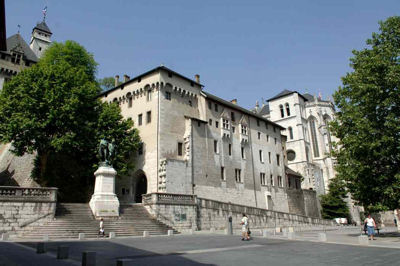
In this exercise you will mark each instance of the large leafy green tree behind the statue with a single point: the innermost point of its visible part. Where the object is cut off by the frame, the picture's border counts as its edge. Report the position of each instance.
(53, 109)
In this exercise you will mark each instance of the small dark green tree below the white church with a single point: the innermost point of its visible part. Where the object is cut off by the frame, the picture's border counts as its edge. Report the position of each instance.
(333, 204)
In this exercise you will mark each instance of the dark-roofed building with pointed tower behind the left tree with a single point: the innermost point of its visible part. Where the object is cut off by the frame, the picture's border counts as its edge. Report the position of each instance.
(17, 55)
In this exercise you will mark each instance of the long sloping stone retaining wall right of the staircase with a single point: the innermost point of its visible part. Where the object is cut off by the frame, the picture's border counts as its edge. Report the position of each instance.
(185, 212)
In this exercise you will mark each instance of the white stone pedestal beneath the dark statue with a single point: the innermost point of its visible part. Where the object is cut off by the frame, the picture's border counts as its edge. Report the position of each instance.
(104, 202)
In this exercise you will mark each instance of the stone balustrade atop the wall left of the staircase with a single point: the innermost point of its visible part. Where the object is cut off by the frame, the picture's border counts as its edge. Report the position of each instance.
(28, 194)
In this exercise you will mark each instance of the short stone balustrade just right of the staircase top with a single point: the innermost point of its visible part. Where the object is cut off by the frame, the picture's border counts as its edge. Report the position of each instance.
(166, 198)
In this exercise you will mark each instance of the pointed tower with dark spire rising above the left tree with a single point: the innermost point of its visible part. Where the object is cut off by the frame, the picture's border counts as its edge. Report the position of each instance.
(40, 39)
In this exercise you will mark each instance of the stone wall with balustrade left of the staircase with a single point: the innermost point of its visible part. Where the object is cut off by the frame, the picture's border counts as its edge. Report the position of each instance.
(20, 207)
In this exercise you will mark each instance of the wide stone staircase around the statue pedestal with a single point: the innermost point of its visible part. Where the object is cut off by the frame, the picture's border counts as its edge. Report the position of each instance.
(73, 218)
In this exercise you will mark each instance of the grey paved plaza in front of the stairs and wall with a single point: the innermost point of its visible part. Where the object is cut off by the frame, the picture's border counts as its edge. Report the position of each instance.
(342, 248)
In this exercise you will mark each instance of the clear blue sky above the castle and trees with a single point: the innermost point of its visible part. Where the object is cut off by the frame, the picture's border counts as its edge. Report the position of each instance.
(242, 49)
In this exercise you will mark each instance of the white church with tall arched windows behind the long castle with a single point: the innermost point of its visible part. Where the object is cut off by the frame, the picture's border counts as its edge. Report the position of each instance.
(309, 142)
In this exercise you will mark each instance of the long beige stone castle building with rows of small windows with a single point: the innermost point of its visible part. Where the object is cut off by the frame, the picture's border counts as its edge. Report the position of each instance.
(196, 143)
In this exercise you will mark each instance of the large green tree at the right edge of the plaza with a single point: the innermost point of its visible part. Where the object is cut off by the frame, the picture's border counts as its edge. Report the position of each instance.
(368, 121)
